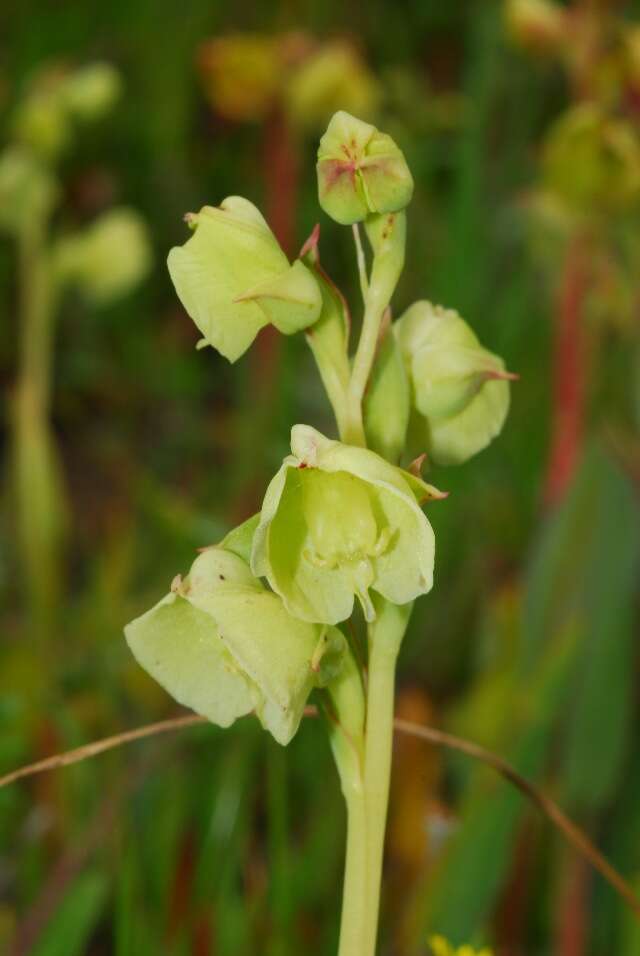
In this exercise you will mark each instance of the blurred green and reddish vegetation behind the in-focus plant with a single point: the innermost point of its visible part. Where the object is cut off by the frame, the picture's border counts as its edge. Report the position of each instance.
(206, 842)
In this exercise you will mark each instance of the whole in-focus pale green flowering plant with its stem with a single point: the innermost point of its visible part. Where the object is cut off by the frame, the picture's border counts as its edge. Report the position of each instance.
(273, 611)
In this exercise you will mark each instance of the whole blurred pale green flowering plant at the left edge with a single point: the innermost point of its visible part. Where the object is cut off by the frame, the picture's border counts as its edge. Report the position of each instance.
(100, 262)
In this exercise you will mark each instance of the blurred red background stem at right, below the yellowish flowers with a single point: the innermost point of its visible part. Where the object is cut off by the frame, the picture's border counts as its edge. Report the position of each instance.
(569, 375)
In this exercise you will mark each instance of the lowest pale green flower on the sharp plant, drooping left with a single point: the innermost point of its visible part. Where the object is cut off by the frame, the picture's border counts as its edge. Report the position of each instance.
(224, 645)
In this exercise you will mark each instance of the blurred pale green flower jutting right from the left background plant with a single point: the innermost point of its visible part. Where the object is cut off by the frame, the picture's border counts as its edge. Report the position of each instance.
(108, 259)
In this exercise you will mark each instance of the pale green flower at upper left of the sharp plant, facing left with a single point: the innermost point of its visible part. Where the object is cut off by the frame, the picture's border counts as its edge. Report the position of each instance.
(233, 278)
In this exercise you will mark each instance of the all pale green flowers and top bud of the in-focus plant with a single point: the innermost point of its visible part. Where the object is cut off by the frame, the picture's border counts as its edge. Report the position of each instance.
(340, 523)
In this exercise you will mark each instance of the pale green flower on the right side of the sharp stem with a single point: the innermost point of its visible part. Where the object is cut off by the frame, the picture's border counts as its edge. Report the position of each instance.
(460, 391)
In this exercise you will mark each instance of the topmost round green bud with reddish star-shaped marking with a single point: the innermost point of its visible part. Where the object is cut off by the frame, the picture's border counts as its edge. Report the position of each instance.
(360, 171)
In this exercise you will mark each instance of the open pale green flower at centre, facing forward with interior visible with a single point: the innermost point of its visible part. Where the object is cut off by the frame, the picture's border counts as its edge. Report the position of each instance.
(337, 522)
